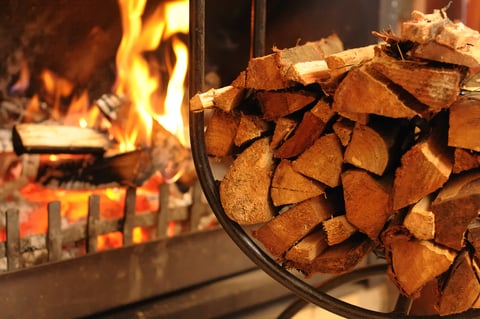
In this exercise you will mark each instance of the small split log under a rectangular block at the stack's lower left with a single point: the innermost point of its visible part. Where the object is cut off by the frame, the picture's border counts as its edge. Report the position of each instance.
(307, 249)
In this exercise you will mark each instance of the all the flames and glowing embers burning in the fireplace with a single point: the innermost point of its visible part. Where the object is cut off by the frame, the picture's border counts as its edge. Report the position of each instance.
(141, 82)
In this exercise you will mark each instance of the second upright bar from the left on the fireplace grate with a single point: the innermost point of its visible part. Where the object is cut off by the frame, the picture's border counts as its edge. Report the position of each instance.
(54, 233)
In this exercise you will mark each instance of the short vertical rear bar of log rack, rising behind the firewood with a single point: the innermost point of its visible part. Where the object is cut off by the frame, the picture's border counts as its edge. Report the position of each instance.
(259, 27)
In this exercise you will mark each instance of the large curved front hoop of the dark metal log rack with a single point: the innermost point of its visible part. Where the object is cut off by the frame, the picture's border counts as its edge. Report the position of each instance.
(196, 124)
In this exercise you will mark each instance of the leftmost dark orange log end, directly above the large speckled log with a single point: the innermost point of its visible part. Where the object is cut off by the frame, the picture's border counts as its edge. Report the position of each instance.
(220, 133)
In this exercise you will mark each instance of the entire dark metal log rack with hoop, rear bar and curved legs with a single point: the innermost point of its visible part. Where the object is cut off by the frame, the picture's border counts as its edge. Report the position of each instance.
(305, 291)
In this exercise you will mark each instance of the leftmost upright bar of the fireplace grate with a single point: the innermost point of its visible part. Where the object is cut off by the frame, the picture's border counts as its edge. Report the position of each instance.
(13, 239)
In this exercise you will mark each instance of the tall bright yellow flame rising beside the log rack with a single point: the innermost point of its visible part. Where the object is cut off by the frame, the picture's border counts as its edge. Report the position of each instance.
(138, 81)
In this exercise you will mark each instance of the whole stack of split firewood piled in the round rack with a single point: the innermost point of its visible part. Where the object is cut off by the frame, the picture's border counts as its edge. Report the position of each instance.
(338, 153)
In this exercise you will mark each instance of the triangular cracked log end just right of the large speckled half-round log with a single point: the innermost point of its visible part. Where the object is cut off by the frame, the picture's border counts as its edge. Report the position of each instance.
(289, 186)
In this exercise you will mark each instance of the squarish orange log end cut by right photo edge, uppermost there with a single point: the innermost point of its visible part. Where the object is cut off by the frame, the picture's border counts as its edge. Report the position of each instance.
(463, 129)
